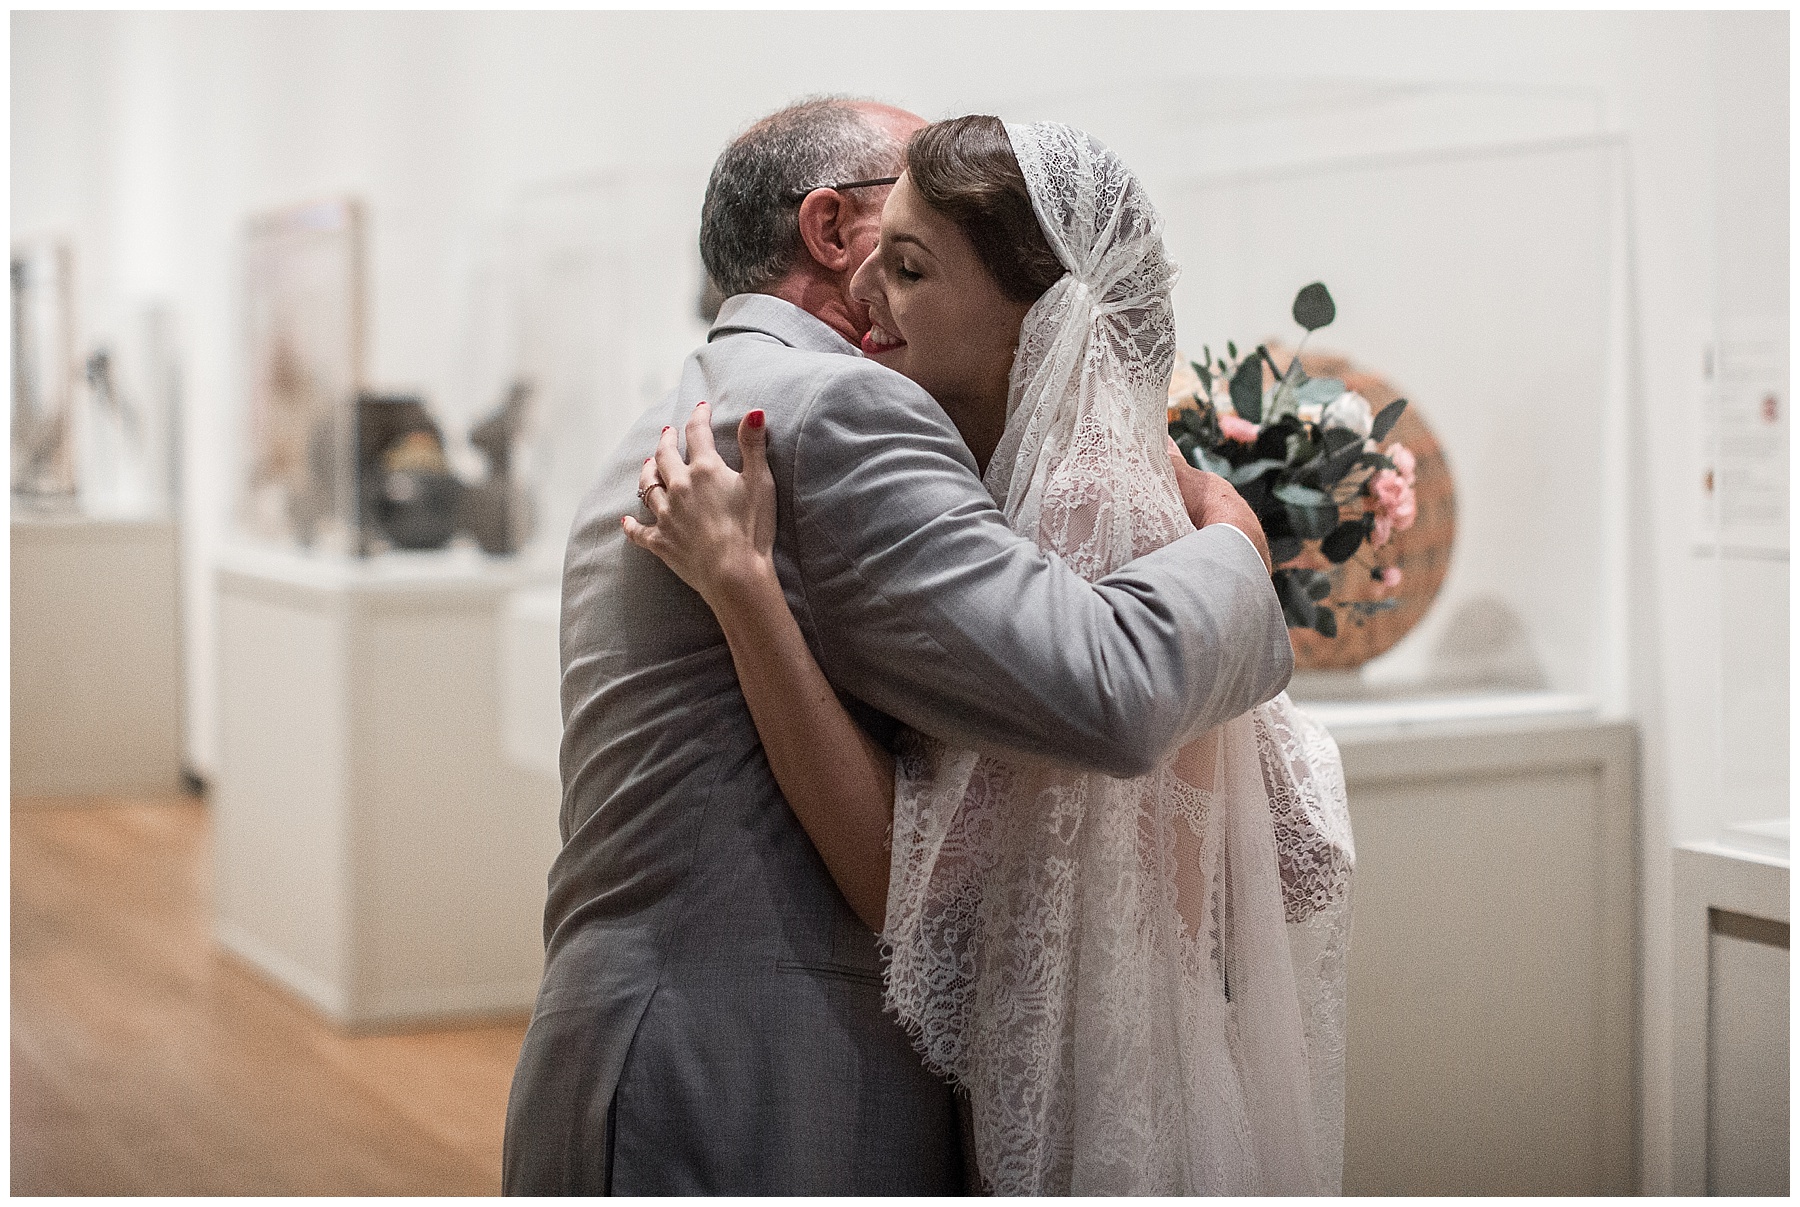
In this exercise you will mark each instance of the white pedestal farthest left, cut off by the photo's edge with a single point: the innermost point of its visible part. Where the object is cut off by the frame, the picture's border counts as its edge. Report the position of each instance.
(96, 666)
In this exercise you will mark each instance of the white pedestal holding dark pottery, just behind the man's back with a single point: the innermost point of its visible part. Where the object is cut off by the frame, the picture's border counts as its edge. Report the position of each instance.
(375, 848)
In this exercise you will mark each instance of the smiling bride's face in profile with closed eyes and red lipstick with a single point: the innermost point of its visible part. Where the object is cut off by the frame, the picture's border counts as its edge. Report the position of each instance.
(939, 316)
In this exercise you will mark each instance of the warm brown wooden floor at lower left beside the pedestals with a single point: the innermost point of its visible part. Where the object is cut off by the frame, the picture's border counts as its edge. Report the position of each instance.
(147, 1062)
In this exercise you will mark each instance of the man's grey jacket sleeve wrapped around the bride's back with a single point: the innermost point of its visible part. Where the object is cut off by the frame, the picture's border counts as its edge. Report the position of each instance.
(930, 607)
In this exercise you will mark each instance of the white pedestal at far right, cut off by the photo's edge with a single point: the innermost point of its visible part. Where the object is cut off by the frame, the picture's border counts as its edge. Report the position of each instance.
(1731, 1014)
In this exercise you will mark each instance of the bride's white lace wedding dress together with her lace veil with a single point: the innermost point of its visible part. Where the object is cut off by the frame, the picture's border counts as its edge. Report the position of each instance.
(1138, 981)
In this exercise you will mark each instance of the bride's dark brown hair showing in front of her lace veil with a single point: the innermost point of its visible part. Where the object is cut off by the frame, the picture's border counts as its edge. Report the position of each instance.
(967, 172)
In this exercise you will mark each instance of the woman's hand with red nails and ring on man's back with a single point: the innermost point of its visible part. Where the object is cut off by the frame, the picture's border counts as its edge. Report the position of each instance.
(715, 528)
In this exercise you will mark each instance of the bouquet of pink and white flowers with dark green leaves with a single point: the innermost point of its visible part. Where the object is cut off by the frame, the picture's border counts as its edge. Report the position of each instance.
(1308, 456)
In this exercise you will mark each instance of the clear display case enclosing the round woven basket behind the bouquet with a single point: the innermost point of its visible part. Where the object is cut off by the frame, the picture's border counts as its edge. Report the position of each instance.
(1473, 242)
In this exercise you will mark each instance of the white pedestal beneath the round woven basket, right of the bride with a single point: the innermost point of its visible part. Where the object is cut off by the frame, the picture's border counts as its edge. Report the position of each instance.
(1493, 947)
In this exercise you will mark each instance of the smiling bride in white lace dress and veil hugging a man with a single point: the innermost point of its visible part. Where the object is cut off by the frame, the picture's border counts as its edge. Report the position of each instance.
(1137, 983)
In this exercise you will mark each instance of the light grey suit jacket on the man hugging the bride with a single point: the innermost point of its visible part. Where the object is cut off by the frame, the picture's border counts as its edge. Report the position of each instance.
(712, 1010)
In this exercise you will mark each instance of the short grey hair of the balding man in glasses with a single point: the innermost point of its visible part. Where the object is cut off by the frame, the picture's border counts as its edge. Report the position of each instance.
(750, 228)
